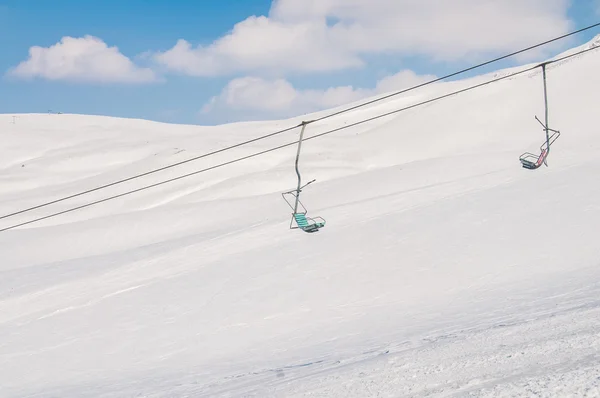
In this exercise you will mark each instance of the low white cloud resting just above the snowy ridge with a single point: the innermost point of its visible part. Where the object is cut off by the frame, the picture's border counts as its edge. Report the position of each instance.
(268, 98)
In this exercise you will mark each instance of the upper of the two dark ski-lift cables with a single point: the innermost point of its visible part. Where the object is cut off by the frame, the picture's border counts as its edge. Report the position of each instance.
(294, 127)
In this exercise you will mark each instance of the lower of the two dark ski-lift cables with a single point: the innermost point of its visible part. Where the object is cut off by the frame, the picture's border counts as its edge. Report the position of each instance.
(296, 142)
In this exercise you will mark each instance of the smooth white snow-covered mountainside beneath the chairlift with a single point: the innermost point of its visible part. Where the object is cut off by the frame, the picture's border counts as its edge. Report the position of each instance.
(445, 268)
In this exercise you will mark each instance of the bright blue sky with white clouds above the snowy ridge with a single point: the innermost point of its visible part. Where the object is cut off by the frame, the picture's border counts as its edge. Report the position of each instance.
(184, 62)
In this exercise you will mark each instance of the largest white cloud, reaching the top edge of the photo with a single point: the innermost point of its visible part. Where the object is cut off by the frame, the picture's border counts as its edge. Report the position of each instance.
(321, 35)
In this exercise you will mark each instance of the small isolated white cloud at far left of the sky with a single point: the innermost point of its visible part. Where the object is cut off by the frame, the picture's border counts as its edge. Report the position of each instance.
(85, 59)
